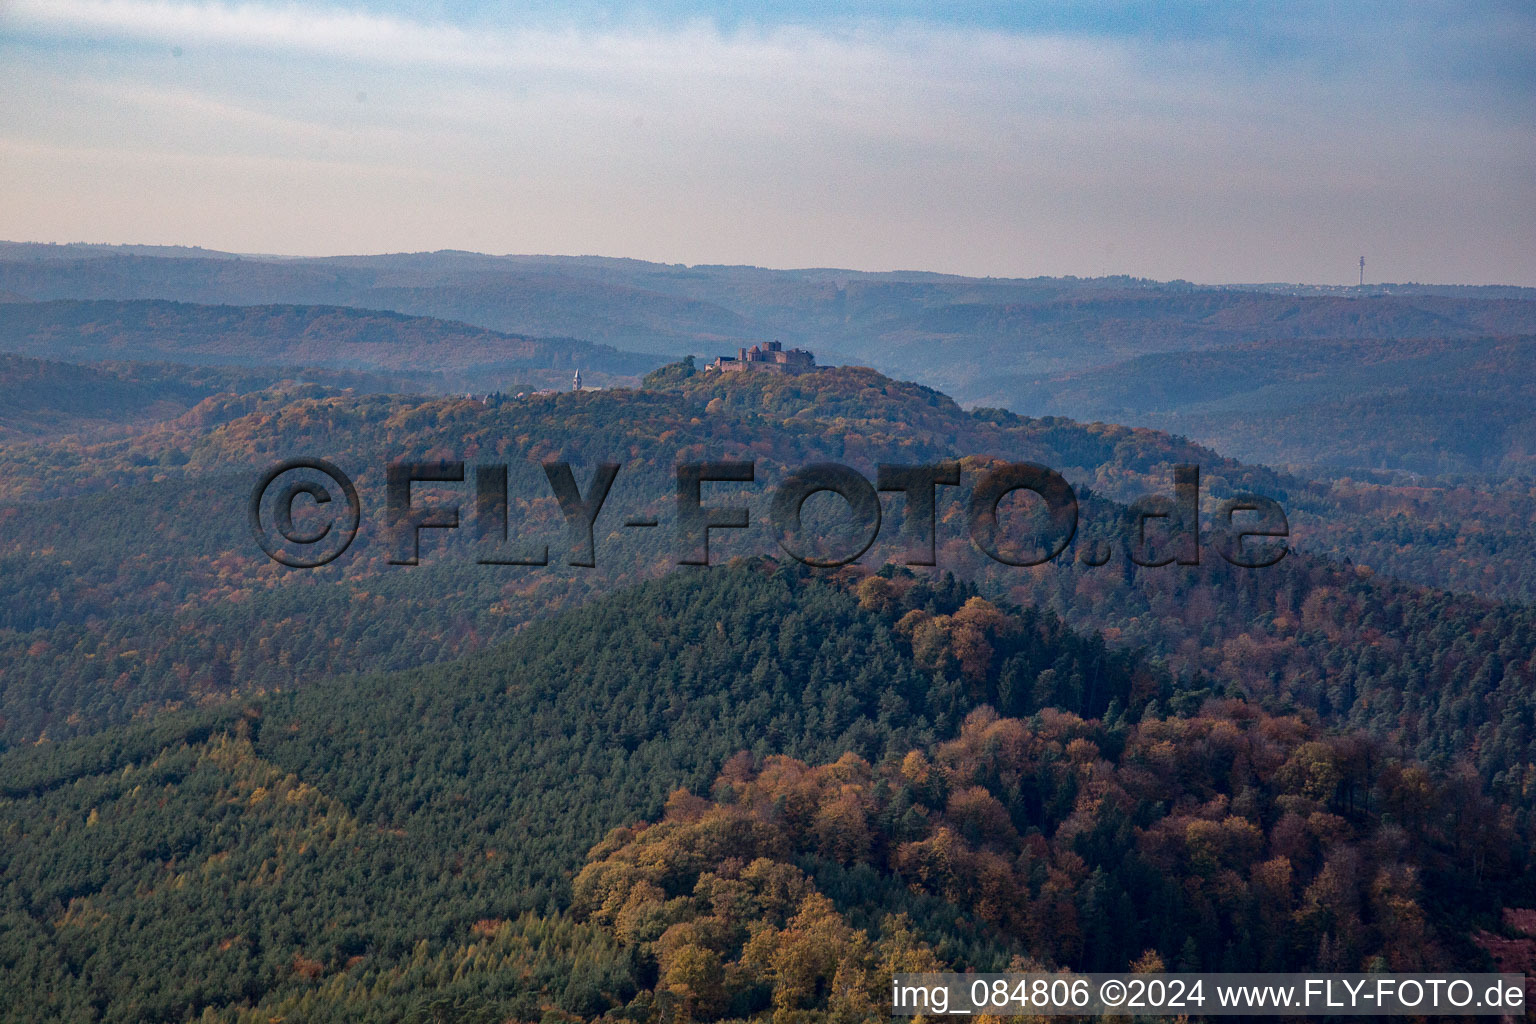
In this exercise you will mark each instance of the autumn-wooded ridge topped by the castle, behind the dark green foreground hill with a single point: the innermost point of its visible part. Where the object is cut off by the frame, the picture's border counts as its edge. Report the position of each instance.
(154, 595)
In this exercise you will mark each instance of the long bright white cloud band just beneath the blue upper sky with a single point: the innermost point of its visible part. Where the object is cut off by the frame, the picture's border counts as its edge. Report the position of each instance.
(697, 48)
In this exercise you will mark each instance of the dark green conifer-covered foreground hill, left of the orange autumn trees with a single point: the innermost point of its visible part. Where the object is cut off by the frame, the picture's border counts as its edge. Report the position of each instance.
(150, 868)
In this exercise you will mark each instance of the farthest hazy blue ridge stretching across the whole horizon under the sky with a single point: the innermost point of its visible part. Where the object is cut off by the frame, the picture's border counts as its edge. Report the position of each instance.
(947, 331)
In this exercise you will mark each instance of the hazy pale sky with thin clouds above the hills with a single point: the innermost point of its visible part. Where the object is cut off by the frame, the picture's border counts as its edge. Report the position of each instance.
(1210, 142)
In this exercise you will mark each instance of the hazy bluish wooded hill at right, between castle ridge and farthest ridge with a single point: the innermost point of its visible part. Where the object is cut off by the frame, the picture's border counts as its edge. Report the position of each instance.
(1437, 406)
